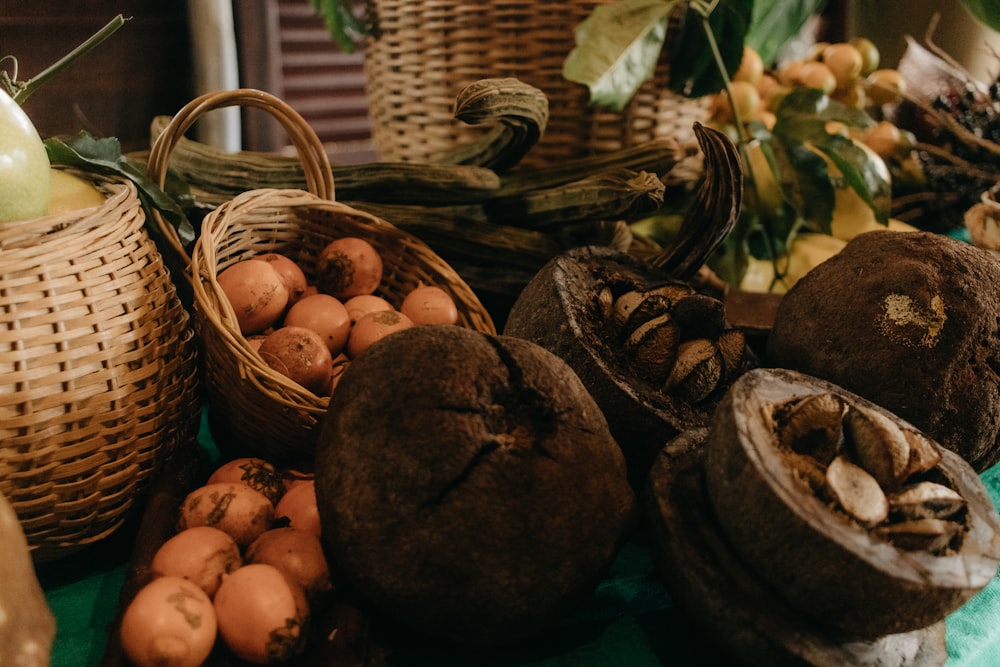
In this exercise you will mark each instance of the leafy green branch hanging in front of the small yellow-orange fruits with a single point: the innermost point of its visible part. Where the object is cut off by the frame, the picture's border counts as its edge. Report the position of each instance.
(620, 43)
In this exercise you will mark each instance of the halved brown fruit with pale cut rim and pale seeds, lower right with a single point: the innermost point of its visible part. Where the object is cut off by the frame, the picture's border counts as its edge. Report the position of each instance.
(846, 555)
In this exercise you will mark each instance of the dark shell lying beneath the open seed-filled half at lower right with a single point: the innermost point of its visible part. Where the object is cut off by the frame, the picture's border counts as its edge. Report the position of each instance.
(707, 581)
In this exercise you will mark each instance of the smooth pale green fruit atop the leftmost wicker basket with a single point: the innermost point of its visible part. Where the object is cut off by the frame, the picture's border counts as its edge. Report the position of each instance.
(24, 165)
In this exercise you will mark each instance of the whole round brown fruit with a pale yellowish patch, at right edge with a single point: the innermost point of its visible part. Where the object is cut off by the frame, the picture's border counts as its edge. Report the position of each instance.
(910, 322)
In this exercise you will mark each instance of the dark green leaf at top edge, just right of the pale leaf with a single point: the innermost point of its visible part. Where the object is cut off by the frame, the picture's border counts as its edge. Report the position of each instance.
(694, 71)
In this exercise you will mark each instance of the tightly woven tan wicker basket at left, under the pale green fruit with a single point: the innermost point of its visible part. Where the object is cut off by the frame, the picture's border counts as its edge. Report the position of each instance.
(99, 374)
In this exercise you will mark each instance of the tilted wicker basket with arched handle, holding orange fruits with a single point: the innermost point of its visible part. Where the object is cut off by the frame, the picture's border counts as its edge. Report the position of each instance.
(252, 409)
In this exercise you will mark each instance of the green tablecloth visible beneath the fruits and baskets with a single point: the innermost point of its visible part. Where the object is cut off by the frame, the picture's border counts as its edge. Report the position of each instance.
(628, 621)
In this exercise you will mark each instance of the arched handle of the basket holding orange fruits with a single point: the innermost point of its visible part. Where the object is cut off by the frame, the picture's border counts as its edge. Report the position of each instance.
(315, 161)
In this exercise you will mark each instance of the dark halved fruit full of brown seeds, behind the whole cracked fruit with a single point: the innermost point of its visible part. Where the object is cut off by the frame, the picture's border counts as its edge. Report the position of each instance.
(611, 317)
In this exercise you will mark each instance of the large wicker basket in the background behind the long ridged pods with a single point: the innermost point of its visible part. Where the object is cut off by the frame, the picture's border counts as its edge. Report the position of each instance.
(423, 52)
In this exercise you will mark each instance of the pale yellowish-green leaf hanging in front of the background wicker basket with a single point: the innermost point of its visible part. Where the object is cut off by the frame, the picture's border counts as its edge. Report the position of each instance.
(617, 47)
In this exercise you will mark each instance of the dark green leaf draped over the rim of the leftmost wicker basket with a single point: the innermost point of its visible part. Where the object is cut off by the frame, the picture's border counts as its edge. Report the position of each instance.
(104, 156)
